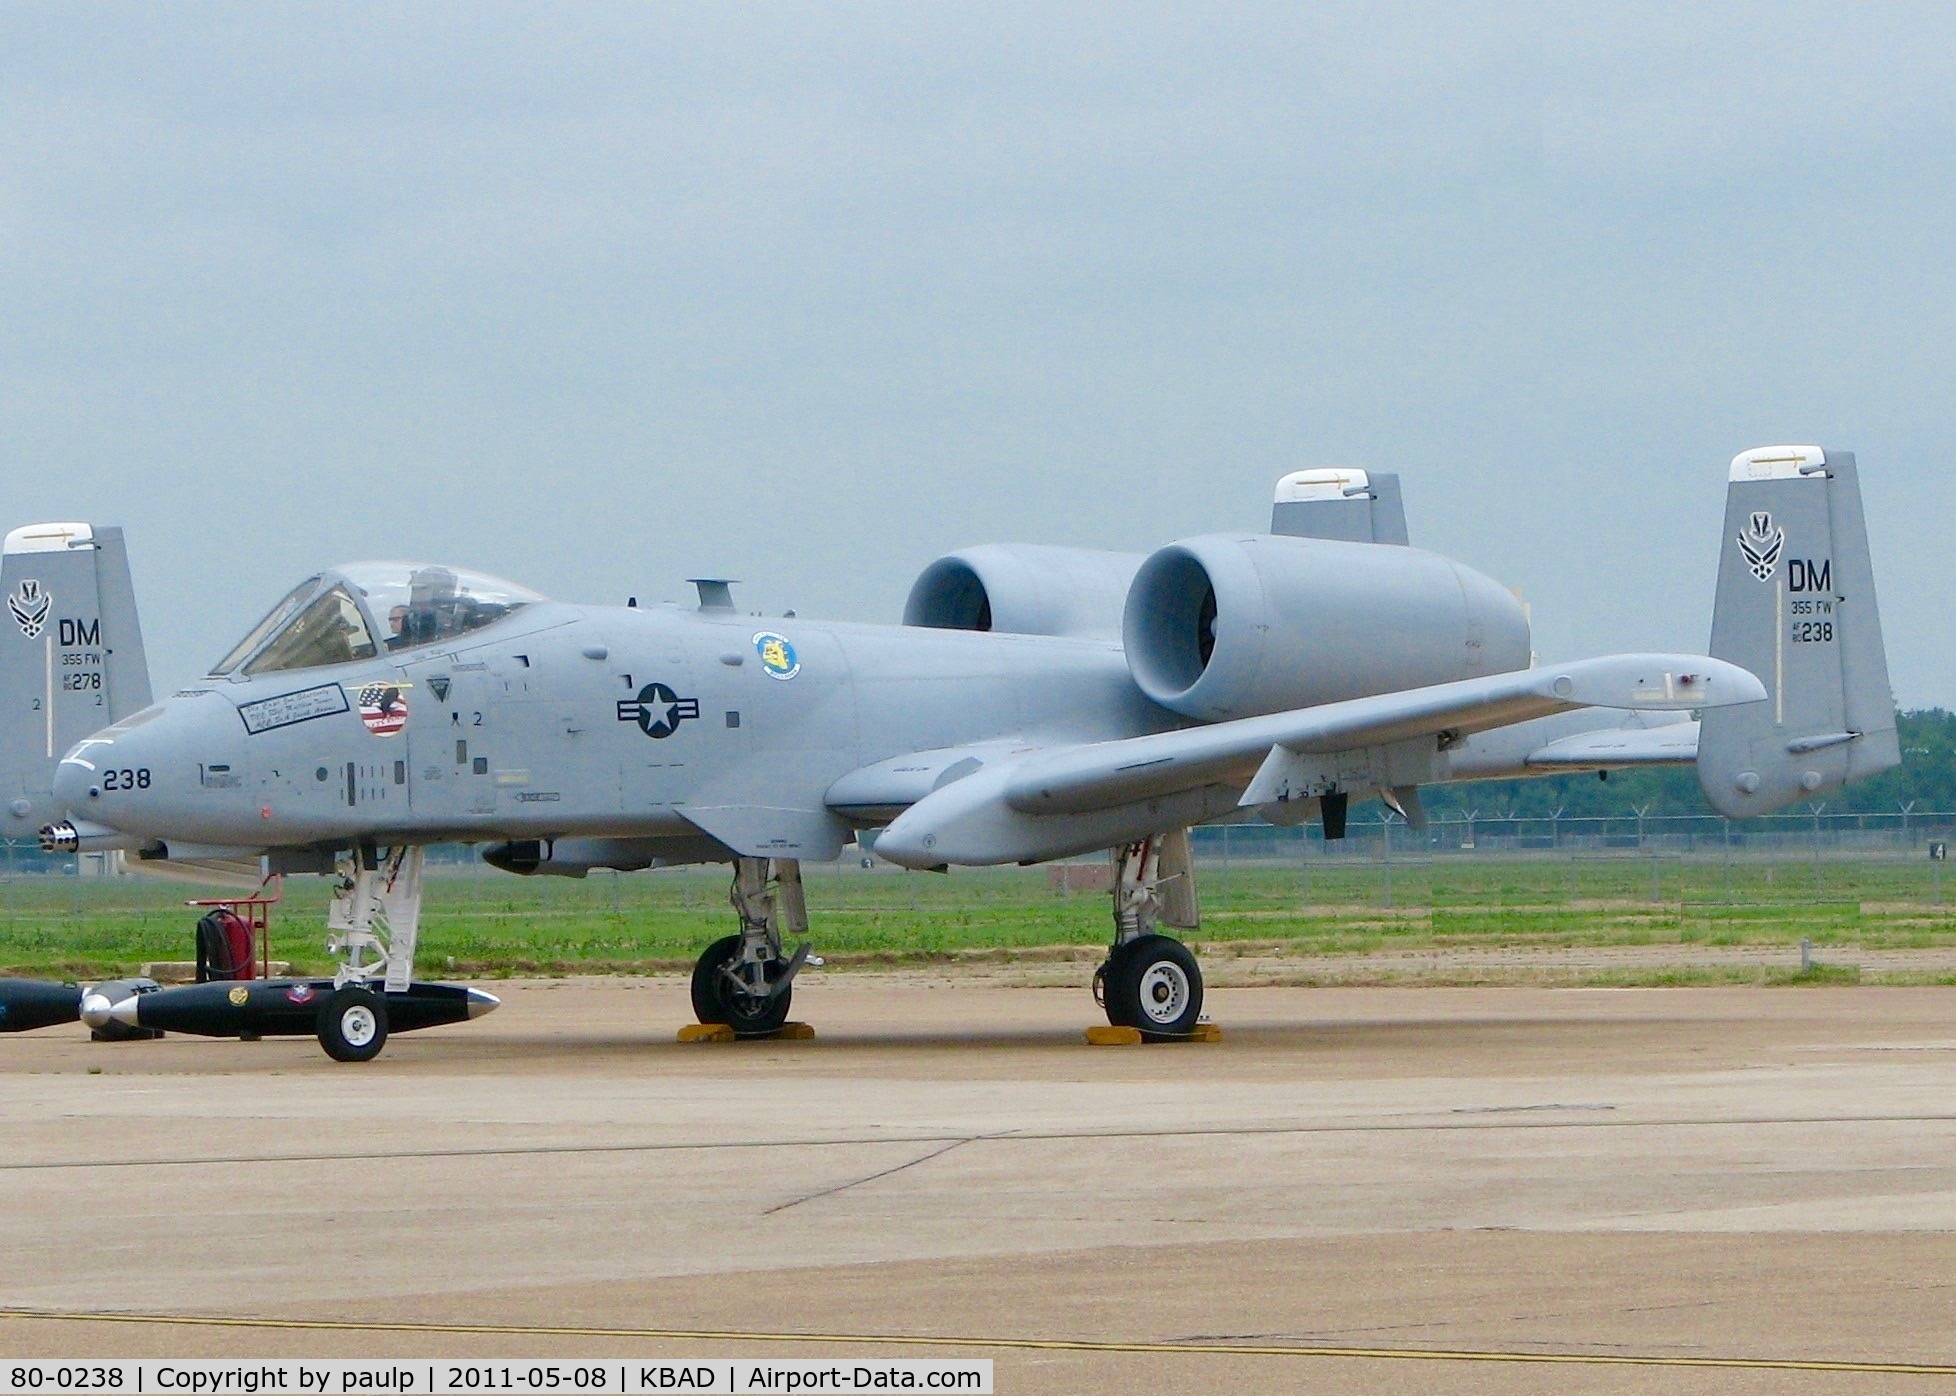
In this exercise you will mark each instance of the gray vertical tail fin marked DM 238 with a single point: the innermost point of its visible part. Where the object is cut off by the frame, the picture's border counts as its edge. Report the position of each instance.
(1797, 607)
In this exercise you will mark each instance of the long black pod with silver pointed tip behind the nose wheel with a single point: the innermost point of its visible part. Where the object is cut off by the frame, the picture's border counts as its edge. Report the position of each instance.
(289, 1008)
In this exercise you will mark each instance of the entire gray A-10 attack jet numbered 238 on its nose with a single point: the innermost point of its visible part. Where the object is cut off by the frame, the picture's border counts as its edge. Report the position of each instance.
(1038, 703)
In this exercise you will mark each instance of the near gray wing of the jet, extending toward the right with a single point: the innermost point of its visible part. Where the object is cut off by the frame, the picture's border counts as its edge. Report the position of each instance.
(1049, 803)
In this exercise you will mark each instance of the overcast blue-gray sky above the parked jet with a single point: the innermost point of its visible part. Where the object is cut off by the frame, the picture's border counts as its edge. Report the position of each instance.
(605, 296)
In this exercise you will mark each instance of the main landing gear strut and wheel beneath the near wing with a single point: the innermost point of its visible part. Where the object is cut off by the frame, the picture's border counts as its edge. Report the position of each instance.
(1151, 982)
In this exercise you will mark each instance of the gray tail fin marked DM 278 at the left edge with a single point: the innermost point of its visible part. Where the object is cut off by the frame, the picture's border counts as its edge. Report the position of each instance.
(71, 656)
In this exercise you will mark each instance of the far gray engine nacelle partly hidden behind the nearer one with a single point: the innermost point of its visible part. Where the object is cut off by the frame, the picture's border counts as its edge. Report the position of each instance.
(1024, 589)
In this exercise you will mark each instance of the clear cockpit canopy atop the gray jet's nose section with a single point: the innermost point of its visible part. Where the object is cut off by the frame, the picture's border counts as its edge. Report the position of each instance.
(369, 609)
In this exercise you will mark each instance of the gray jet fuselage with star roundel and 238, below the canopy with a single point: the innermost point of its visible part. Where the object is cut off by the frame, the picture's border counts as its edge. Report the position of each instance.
(588, 722)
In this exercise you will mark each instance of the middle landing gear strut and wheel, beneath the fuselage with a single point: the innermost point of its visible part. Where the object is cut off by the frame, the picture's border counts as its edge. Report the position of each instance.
(746, 981)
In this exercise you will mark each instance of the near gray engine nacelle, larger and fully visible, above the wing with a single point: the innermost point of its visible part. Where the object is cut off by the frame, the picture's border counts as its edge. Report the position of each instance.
(1237, 625)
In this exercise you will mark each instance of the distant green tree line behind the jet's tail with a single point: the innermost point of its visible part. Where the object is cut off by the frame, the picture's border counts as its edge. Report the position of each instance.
(1928, 775)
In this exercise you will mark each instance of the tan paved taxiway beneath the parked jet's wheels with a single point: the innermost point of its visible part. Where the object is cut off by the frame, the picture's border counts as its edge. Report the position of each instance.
(1355, 1190)
